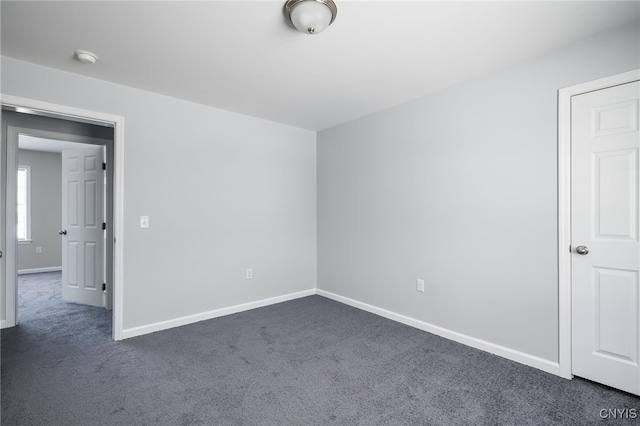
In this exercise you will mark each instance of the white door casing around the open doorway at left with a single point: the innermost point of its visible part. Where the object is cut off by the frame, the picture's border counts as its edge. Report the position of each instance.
(86, 116)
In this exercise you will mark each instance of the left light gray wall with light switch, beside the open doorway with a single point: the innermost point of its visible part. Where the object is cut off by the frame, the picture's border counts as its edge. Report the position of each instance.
(223, 192)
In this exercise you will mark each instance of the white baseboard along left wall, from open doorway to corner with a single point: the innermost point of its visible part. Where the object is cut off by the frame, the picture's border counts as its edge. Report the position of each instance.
(190, 319)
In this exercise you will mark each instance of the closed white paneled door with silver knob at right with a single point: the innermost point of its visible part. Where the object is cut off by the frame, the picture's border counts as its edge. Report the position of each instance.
(605, 225)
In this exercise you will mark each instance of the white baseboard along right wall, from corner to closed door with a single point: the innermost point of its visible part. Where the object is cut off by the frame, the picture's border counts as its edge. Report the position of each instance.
(513, 355)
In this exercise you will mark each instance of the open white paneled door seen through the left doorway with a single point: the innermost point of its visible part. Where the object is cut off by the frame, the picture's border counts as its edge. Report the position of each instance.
(82, 233)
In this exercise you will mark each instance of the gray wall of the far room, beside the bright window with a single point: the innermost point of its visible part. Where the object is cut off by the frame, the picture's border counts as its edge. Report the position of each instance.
(46, 210)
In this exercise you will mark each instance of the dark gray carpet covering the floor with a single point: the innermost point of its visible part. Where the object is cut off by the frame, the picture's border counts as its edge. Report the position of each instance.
(310, 361)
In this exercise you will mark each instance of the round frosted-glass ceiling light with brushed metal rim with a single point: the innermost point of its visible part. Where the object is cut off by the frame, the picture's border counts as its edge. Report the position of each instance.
(311, 16)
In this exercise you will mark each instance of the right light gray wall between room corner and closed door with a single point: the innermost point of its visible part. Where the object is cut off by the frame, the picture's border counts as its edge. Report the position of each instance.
(459, 188)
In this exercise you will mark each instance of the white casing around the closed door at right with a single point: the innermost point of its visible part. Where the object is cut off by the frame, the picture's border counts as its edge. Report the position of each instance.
(564, 207)
